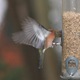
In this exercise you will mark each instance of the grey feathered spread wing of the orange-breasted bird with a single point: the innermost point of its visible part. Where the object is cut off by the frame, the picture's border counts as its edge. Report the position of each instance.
(32, 34)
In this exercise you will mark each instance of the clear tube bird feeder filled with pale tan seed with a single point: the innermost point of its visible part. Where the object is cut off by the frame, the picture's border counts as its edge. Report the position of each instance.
(71, 39)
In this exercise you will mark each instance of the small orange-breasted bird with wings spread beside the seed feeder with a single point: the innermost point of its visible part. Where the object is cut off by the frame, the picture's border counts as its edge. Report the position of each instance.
(36, 35)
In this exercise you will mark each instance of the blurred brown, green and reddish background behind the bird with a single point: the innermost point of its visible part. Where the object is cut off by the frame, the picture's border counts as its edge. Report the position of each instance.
(20, 62)
